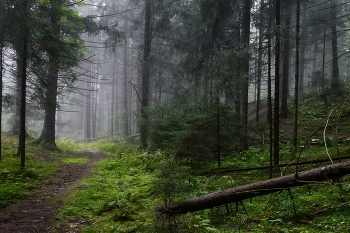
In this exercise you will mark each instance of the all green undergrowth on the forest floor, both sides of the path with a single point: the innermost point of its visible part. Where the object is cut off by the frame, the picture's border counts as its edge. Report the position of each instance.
(121, 193)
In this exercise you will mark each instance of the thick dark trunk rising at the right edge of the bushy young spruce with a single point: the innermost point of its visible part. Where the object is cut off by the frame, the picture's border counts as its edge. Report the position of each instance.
(245, 71)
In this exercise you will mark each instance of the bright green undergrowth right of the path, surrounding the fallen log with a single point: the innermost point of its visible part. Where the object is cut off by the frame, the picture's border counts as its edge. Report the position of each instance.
(123, 190)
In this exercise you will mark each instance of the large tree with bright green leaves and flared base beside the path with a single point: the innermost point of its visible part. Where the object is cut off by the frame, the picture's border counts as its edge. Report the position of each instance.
(63, 56)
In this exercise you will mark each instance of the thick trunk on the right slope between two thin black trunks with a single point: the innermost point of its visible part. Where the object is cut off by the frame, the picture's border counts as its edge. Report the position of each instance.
(285, 76)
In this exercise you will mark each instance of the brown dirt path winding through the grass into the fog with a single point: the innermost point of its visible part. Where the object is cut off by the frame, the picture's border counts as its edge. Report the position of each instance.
(37, 212)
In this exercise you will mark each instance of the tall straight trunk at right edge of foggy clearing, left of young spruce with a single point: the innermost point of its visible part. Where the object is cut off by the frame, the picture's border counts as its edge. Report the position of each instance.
(146, 75)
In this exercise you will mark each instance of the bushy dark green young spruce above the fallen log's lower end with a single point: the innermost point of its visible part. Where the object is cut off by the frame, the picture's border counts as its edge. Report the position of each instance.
(195, 131)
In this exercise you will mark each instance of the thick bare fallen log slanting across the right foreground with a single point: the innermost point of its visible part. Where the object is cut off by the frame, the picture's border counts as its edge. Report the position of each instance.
(237, 194)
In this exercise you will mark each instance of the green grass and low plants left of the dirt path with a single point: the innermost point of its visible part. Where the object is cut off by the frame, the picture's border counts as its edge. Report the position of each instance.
(18, 184)
